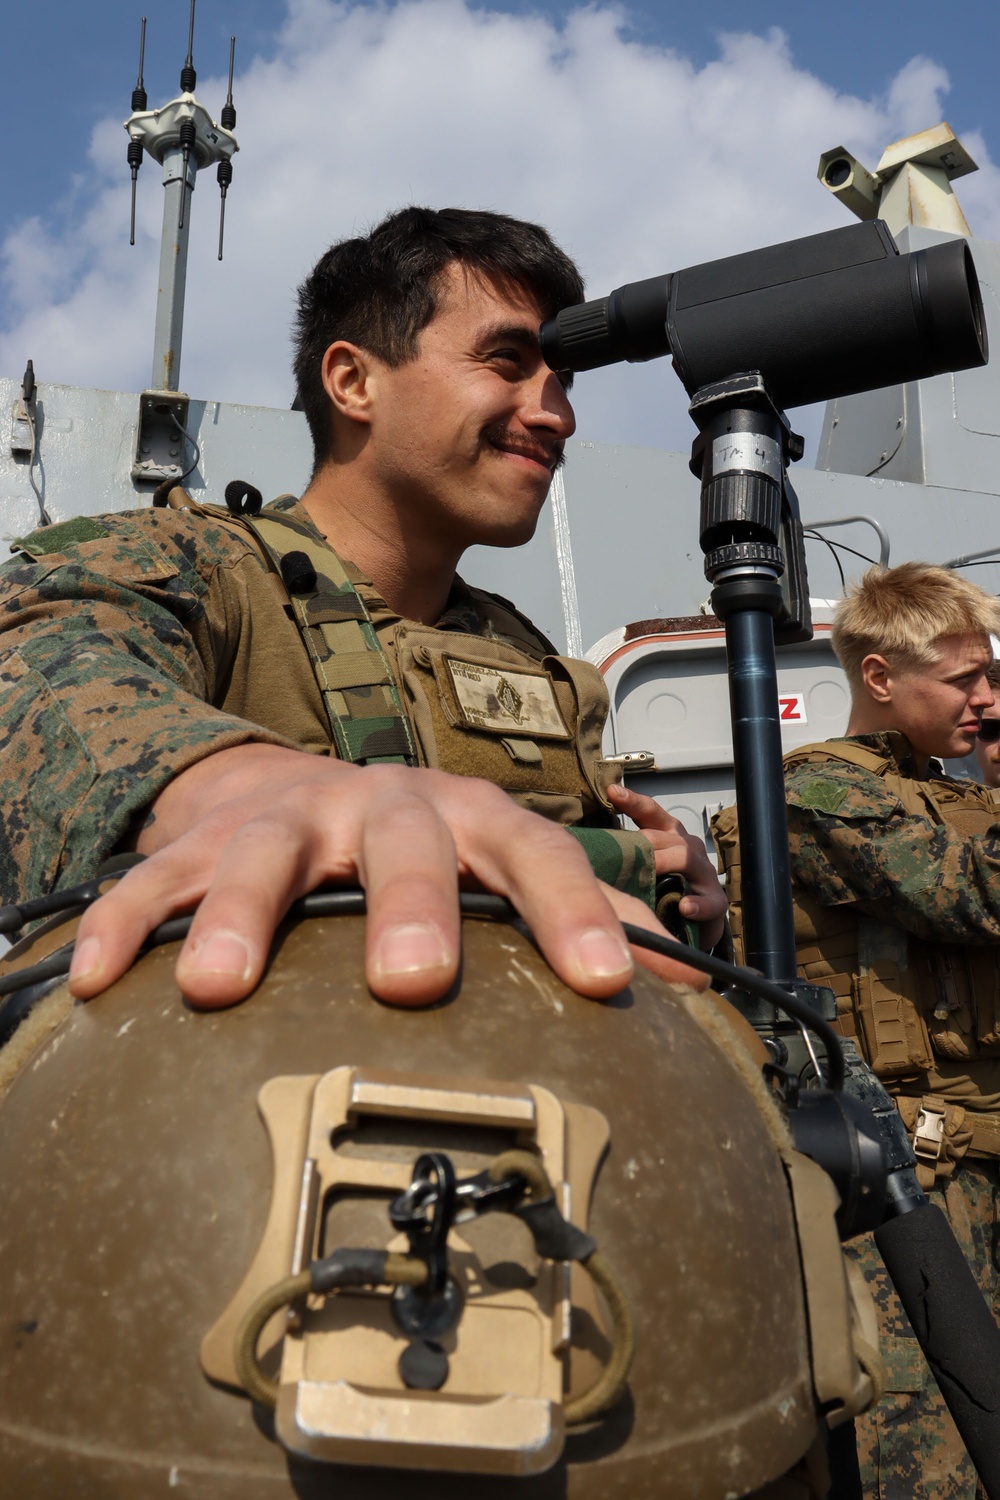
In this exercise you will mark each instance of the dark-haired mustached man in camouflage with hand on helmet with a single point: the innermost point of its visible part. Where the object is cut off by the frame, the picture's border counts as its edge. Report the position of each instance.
(158, 689)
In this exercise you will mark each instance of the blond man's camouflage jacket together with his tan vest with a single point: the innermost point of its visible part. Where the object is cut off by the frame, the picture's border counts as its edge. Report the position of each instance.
(897, 910)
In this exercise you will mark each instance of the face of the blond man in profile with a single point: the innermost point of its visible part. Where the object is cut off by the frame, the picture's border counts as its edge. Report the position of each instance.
(938, 707)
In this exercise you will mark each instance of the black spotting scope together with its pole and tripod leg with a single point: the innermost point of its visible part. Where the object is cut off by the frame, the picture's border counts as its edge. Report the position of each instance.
(810, 320)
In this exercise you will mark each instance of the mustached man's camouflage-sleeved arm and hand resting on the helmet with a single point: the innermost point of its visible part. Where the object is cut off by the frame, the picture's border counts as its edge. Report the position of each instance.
(110, 652)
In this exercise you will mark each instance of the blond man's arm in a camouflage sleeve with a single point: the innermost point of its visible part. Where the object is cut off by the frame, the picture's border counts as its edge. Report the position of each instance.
(852, 842)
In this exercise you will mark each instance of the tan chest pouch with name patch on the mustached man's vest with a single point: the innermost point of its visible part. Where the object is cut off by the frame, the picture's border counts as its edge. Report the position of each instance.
(531, 728)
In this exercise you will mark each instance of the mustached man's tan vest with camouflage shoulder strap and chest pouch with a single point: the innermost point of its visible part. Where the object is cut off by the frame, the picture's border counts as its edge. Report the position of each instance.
(501, 706)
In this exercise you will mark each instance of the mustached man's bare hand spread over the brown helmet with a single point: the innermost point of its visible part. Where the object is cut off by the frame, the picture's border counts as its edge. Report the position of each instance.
(248, 830)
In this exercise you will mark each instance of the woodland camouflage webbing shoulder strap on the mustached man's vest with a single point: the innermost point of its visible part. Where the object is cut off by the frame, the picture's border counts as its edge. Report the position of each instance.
(359, 692)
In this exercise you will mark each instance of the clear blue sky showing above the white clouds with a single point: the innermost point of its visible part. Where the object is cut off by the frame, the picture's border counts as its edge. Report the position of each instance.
(74, 64)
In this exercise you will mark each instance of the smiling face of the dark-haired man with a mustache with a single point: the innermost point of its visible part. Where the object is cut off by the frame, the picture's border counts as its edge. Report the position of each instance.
(466, 437)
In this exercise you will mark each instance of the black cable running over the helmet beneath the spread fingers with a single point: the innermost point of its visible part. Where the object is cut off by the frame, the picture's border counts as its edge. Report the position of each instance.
(475, 904)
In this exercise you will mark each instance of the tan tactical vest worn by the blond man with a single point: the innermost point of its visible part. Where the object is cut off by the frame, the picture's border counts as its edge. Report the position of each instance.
(921, 1012)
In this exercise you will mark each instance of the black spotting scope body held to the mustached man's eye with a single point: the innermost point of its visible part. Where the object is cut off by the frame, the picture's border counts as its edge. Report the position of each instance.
(822, 317)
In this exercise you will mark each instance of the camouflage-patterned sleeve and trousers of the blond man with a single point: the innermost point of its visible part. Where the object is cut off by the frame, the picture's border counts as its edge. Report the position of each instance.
(855, 844)
